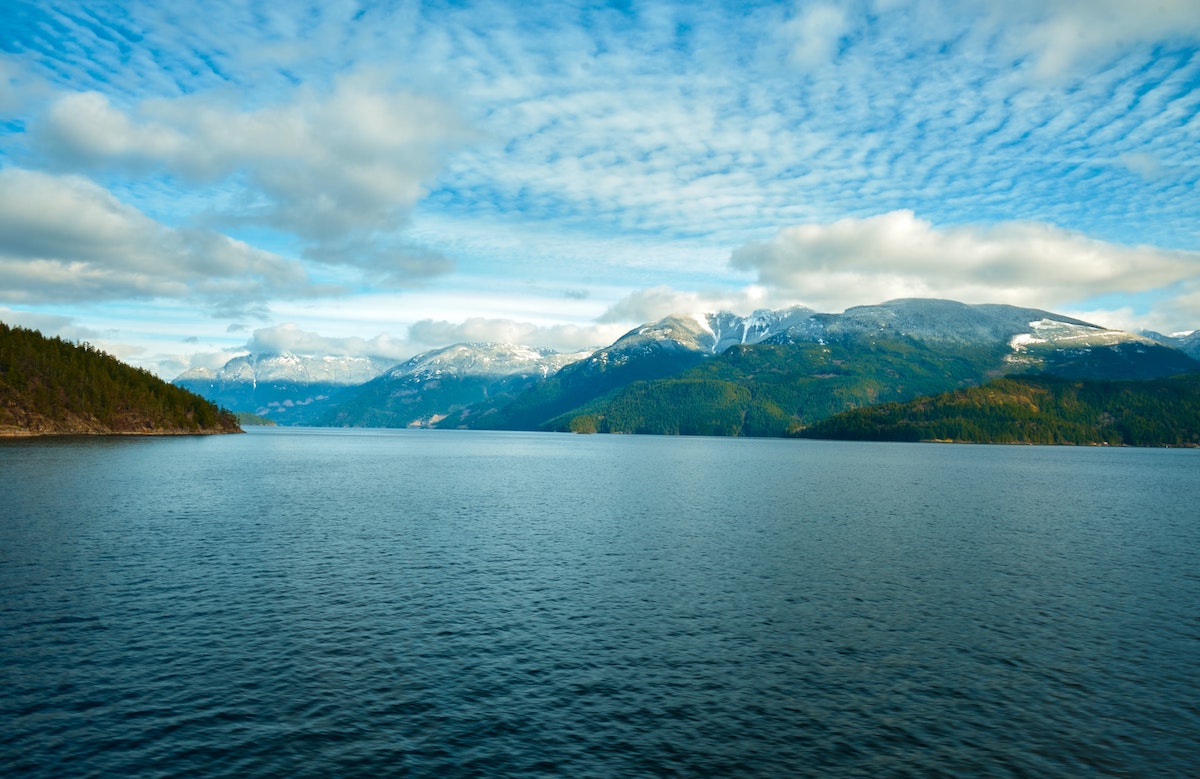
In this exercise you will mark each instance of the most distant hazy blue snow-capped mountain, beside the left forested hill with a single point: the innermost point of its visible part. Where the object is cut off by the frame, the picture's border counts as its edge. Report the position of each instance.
(287, 388)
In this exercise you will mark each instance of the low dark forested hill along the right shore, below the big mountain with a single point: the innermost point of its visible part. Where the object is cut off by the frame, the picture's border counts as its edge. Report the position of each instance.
(1042, 410)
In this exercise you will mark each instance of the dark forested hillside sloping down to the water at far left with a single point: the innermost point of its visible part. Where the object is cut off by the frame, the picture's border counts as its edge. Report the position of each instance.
(51, 386)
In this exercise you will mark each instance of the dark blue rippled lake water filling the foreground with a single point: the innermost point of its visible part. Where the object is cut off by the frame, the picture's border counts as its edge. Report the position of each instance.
(310, 603)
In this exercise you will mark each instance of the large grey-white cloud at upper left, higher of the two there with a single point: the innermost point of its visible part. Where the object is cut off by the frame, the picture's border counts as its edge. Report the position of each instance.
(338, 170)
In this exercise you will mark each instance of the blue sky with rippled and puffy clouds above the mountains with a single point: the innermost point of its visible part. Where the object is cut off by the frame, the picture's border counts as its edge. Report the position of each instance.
(183, 182)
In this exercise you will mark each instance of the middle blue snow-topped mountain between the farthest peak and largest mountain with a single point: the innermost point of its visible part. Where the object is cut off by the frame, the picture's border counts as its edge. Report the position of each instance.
(427, 388)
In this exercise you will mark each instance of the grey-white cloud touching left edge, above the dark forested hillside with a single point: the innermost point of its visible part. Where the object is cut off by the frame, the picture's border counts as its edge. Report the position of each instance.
(68, 239)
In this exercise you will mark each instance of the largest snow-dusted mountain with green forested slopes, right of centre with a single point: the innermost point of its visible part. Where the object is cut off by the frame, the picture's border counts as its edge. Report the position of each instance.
(776, 373)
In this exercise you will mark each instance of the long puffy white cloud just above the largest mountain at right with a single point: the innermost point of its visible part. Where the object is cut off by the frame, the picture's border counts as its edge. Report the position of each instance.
(898, 255)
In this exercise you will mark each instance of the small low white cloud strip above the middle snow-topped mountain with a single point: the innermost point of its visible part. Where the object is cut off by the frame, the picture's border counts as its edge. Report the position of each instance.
(565, 338)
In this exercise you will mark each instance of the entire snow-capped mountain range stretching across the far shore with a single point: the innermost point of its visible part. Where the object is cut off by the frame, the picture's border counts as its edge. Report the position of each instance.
(770, 374)
